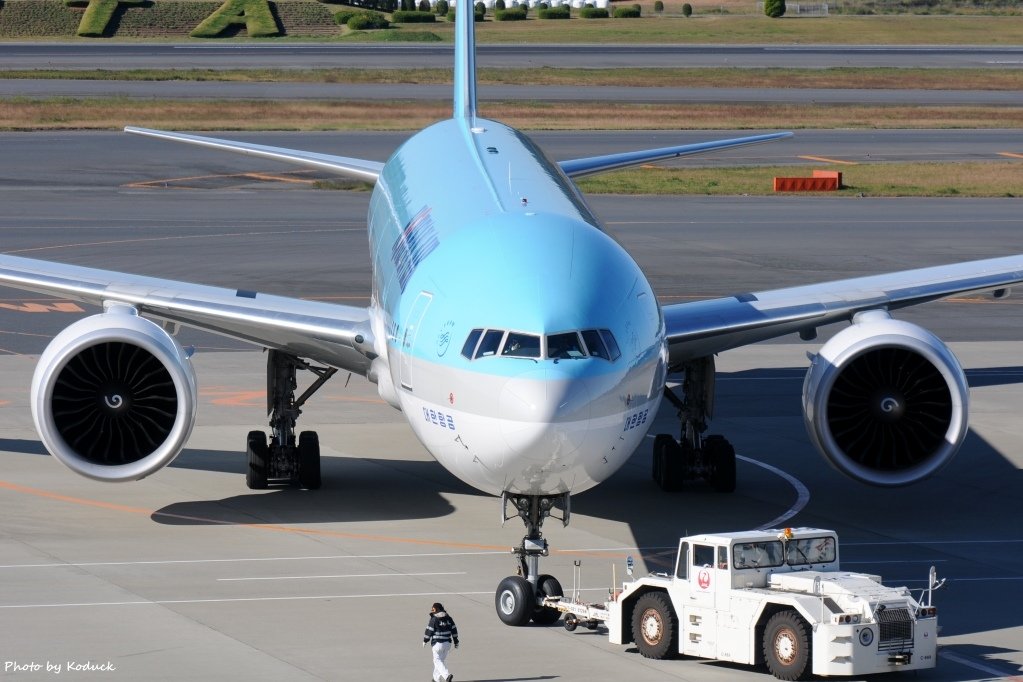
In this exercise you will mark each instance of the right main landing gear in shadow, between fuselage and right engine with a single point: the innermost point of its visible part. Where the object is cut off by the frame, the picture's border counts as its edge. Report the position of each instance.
(694, 457)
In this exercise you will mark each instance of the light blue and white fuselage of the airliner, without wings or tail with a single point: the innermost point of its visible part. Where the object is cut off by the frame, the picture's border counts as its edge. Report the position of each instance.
(496, 291)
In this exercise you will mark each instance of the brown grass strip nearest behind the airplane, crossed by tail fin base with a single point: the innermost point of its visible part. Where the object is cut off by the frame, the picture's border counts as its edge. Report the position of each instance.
(108, 114)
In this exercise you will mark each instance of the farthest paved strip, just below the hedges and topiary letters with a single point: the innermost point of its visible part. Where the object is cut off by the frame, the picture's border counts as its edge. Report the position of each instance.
(247, 56)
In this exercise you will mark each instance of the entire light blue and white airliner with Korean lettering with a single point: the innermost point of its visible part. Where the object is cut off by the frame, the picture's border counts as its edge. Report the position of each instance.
(524, 346)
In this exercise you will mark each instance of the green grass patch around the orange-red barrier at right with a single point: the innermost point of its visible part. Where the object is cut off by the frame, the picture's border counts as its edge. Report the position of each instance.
(977, 179)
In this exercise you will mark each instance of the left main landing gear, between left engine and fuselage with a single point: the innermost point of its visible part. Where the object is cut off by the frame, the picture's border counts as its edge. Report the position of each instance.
(284, 461)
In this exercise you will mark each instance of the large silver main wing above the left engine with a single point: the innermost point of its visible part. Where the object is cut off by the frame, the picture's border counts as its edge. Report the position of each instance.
(337, 336)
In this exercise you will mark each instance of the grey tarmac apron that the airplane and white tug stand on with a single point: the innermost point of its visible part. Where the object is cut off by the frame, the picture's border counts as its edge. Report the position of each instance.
(189, 574)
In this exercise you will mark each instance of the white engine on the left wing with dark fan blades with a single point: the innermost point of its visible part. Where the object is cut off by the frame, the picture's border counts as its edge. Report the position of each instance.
(114, 397)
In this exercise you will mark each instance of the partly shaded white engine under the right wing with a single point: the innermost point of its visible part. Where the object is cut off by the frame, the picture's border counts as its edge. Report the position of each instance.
(886, 401)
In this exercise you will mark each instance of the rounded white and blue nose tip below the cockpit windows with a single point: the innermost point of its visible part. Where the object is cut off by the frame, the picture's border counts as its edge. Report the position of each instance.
(544, 414)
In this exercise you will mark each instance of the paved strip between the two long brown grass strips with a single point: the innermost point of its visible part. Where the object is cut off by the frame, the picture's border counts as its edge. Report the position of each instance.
(208, 90)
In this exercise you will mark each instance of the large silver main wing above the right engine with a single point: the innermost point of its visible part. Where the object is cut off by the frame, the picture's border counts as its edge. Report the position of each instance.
(704, 328)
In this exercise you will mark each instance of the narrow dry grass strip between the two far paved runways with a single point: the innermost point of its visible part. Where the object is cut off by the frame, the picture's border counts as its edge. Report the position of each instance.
(843, 77)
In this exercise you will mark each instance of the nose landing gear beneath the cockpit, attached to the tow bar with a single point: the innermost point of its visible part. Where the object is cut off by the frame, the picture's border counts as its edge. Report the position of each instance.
(519, 598)
